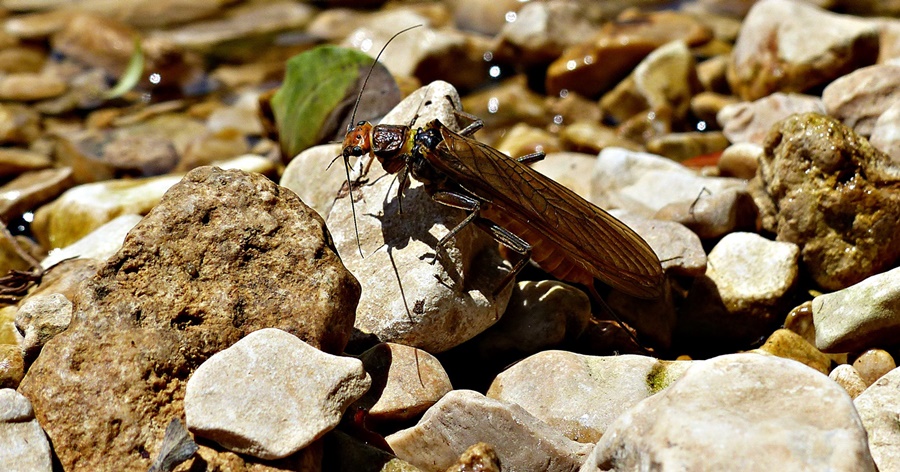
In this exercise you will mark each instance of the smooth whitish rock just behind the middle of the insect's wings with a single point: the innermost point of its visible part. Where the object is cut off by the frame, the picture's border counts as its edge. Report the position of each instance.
(644, 183)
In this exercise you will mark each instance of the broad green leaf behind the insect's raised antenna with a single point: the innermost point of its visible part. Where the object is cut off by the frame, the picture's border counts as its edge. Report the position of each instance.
(318, 93)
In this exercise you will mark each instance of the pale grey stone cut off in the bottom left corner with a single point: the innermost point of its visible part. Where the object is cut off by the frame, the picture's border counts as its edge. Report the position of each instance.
(25, 446)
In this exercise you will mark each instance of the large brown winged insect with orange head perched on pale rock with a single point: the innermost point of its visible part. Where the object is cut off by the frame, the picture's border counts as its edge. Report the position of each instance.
(520, 208)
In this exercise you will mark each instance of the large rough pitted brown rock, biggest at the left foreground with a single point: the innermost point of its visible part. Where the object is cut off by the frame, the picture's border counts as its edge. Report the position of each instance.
(223, 254)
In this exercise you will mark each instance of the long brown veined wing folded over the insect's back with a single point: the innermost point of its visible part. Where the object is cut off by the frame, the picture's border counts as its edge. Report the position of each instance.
(603, 245)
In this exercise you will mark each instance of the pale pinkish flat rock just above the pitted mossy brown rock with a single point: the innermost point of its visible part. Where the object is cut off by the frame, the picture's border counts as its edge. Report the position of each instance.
(750, 122)
